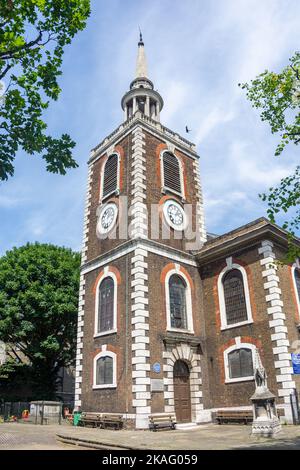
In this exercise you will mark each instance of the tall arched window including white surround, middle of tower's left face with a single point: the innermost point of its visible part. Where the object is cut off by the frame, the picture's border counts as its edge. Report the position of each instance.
(106, 305)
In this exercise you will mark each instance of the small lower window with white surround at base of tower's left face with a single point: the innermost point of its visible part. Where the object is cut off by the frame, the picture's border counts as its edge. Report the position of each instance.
(105, 370)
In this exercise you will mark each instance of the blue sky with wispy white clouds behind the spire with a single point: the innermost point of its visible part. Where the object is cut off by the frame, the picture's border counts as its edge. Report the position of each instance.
(198, 51)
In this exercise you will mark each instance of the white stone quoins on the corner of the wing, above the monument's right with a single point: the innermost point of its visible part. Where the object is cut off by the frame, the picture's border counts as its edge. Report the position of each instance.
(275, 310)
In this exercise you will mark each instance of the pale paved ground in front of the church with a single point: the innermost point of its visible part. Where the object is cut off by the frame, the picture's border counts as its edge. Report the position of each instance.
(27, 436)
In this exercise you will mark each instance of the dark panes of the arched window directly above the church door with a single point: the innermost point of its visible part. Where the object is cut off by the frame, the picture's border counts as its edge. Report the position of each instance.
(177, 293)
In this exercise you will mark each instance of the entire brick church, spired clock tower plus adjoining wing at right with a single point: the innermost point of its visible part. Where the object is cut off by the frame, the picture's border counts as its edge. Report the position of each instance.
(169, 317)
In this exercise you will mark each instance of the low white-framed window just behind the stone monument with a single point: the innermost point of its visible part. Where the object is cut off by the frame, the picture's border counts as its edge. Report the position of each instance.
(239, 360)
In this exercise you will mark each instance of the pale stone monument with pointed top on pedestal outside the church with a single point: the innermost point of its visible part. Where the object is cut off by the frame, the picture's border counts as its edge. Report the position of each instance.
(265, 419)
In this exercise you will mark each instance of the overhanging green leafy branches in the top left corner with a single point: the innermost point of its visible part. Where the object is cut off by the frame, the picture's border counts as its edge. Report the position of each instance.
(33, 36)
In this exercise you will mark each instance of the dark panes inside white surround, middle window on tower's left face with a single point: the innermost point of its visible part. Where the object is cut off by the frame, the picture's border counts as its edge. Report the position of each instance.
(106, 305)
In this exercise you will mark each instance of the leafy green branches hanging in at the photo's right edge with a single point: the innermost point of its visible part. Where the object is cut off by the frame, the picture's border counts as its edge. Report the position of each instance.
(277, 95)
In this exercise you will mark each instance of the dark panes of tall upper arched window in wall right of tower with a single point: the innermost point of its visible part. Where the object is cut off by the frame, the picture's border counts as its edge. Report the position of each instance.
(234, 295)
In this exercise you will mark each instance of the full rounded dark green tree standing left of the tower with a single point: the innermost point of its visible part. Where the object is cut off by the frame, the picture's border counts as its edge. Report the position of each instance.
(39, 286)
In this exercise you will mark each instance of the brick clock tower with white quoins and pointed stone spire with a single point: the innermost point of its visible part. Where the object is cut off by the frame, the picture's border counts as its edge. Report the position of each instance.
(140, 316)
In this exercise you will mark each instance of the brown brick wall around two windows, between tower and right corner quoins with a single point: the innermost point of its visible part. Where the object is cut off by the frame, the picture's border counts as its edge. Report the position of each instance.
(216, 341)
